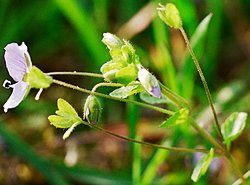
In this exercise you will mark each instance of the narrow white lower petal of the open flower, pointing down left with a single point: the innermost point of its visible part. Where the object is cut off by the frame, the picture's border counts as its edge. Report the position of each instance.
(19, 91)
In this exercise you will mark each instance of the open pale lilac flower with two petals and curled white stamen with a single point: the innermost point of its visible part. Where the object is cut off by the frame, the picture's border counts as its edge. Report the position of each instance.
(18, 63)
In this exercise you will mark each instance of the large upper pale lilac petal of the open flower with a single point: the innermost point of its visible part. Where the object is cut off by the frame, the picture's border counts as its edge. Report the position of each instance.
(16, 62)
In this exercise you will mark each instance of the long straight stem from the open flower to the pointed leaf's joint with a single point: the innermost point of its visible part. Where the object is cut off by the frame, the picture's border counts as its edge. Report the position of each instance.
(112, 98)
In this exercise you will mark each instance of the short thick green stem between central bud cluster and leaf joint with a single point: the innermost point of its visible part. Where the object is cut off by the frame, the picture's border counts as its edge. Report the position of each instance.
(181, 102)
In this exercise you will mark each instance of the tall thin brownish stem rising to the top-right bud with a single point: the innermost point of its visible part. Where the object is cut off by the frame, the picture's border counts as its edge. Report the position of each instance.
(202, 79)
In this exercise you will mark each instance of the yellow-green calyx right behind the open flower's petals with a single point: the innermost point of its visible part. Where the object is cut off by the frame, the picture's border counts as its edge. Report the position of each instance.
(37, 79)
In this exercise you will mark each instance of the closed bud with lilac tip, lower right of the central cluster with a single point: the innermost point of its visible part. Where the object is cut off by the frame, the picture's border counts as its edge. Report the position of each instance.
(149, 82)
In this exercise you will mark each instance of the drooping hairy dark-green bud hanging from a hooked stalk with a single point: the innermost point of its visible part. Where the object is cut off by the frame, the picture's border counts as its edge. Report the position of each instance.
(92, 110)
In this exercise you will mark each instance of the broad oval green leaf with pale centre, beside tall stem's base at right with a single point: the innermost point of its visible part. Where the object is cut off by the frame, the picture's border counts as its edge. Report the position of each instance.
(233, 126)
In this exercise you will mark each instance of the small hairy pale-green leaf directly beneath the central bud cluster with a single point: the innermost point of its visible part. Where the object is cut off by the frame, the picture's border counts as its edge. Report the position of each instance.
(126, 91)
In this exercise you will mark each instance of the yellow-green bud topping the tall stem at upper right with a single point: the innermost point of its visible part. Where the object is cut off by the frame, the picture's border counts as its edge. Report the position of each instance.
(170, 15)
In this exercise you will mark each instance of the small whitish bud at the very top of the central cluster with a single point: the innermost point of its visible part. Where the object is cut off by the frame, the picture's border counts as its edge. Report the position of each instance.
(112, 41)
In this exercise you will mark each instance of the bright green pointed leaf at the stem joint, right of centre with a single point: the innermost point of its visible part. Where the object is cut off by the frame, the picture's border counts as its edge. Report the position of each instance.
(179, 117)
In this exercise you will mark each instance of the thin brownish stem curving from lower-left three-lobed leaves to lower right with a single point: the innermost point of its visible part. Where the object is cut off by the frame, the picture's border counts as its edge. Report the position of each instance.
(177, 149)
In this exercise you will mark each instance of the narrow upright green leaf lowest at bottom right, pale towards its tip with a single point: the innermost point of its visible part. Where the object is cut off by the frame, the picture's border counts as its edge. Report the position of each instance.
(202, 166)
